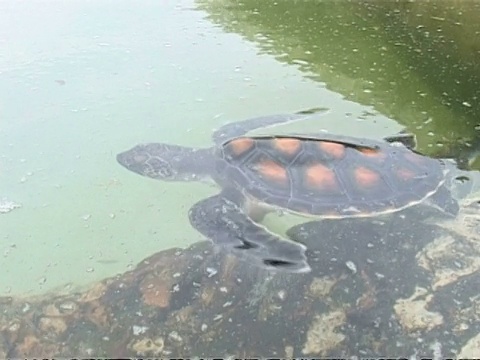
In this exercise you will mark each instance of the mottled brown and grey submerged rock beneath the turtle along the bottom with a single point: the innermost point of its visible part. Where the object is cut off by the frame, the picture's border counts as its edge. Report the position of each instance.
(200, 301)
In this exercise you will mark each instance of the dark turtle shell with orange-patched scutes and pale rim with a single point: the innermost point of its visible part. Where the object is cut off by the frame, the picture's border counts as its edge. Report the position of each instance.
(328, 177)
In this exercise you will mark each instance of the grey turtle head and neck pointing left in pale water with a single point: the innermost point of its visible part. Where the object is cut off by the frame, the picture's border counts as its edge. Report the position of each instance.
(167, 162)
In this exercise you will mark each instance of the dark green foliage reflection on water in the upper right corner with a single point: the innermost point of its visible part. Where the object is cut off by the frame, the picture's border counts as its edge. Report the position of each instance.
(411, 61)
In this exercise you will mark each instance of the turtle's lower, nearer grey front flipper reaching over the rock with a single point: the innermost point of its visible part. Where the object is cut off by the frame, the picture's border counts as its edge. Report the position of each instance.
(224, 222)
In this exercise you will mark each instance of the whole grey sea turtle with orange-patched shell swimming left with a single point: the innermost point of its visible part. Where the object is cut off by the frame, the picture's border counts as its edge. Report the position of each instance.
(320, 175)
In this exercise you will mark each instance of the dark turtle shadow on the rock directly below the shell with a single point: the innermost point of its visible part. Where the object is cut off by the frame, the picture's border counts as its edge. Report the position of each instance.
(384, 247)
